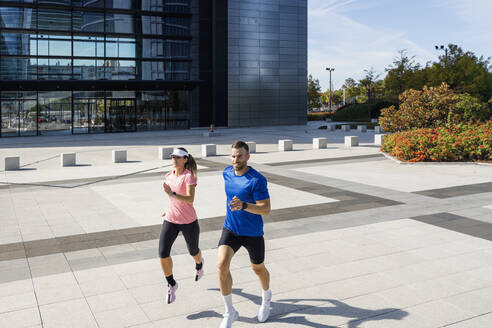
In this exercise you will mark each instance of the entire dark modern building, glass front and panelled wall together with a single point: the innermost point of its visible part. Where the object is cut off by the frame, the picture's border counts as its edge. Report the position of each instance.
(95, 66)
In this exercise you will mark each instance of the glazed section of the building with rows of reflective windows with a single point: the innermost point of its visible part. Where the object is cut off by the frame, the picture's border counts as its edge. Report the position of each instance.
(92, 66)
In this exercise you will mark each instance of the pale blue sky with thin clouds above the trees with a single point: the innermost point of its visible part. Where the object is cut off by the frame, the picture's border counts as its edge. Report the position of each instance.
(353, 35)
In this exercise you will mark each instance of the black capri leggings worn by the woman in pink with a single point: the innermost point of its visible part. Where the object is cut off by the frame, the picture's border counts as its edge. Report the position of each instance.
(169, 233)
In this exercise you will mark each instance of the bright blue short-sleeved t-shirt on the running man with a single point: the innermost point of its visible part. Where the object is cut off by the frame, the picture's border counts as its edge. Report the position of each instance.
(249, 188)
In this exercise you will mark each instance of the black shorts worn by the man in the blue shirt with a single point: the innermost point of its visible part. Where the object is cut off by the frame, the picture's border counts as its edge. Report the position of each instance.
(254, 245)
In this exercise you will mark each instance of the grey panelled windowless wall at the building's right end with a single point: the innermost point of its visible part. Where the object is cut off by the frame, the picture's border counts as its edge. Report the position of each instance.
(267, 62)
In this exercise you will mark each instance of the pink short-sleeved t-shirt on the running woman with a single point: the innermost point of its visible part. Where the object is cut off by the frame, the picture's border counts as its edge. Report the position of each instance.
(180, 212)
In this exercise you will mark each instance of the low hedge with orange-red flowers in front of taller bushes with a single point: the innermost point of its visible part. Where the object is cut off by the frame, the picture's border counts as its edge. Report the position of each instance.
(458, 142)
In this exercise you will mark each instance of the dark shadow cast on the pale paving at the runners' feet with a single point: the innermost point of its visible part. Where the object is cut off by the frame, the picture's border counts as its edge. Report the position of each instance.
(284, 307)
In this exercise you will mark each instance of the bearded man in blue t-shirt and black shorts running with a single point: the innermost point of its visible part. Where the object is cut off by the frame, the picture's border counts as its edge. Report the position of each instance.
(247, 200)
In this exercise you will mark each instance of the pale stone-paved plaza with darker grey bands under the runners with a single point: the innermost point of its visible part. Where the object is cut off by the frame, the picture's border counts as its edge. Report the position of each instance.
(354, 239)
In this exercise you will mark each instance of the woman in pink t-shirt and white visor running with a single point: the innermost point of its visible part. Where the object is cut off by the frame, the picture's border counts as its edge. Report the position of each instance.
(180, 186)
